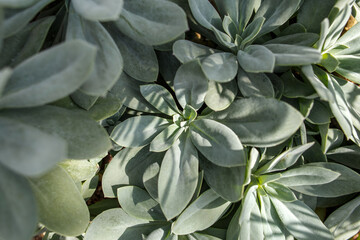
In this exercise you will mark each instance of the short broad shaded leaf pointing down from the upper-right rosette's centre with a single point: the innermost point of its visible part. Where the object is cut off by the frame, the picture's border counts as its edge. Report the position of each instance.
(256, 59)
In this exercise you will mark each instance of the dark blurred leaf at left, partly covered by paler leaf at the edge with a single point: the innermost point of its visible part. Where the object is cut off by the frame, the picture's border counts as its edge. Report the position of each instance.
(85, 138)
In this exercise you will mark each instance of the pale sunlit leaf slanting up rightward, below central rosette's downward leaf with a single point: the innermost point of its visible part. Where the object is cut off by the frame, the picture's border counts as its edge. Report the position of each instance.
(209, 206)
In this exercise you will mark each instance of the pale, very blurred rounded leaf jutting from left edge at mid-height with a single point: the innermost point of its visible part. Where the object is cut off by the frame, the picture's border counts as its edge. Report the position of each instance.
(27, 150)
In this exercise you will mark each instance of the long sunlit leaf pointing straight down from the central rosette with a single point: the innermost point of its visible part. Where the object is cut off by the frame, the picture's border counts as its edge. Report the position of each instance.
(178, 177)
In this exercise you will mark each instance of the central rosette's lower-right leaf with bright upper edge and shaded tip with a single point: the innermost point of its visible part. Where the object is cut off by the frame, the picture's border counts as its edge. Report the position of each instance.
(217, 143)
